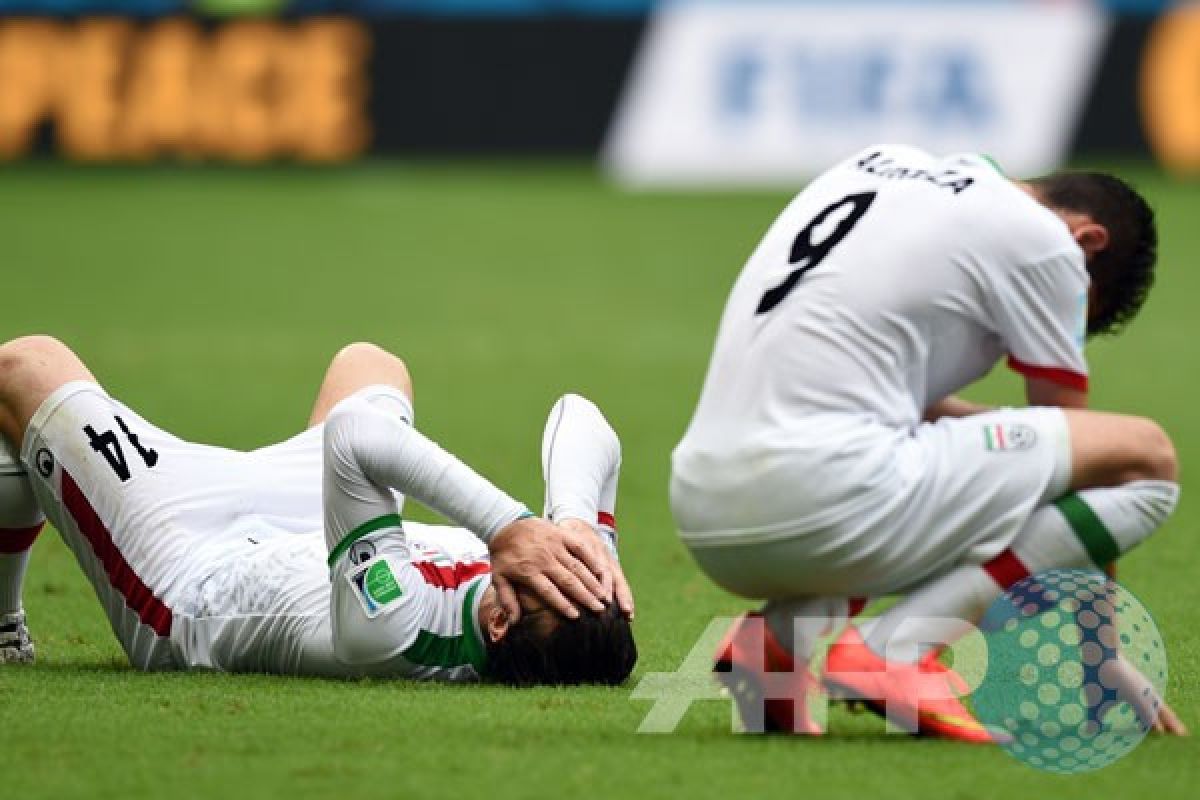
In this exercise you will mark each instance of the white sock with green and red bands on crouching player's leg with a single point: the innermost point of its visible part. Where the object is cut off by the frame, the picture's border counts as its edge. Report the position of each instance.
(1084, 530)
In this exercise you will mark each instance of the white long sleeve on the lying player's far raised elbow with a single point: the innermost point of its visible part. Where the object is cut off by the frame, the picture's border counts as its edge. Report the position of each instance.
(581, 466)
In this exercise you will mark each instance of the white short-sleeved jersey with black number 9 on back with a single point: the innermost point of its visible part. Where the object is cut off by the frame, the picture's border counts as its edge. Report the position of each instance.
(891, 282)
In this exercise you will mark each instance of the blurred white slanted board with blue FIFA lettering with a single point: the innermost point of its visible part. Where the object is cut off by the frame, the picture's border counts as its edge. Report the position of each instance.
(772, 93)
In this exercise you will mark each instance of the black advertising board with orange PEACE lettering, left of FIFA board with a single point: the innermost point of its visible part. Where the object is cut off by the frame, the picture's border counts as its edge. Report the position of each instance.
(310, 89)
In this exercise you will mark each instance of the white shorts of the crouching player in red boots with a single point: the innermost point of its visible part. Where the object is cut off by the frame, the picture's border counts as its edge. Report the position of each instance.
(881, 514)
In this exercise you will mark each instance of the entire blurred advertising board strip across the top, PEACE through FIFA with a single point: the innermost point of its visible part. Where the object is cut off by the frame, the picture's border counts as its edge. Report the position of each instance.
(697, 93)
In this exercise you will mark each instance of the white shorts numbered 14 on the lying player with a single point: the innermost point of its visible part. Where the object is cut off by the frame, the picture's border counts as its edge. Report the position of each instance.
(148, 514)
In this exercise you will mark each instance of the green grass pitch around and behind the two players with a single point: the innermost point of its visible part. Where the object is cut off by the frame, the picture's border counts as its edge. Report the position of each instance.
(212, 299)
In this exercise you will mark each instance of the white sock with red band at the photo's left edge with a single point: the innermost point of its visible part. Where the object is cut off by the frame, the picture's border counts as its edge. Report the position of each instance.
(21, 521)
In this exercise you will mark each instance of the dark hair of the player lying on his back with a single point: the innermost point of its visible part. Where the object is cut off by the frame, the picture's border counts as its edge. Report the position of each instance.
(597, 648)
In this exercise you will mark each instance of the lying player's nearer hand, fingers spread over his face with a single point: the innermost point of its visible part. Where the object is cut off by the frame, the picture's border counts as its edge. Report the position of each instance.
(550, 562)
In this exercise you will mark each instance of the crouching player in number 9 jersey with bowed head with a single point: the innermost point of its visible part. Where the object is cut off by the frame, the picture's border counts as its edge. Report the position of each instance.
(829, 460)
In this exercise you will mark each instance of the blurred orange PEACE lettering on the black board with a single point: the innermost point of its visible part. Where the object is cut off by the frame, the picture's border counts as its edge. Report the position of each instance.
(116, 89)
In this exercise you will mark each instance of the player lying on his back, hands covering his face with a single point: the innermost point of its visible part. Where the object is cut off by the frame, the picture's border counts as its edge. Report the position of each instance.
(211, 558)
